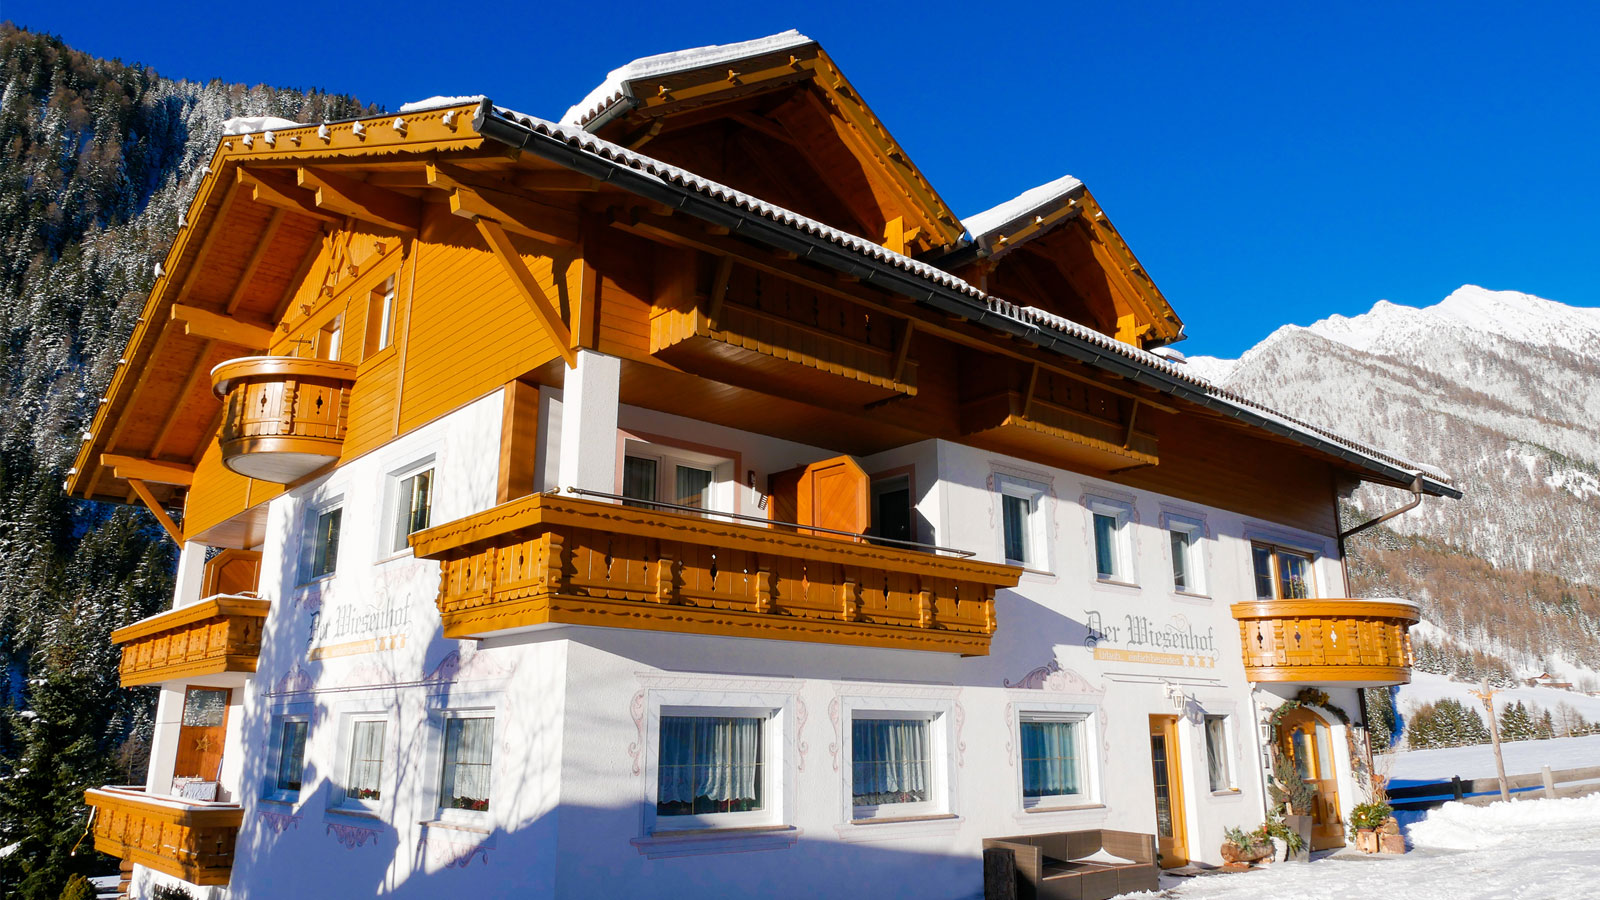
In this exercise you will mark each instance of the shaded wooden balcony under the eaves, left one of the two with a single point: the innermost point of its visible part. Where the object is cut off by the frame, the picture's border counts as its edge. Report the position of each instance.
(785, 340)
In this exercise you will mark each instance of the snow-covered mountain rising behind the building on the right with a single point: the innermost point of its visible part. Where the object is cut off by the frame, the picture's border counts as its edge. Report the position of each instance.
(1502, 392)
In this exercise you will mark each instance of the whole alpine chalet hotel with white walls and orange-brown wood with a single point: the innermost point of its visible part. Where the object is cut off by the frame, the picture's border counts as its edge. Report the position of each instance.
(681, 500)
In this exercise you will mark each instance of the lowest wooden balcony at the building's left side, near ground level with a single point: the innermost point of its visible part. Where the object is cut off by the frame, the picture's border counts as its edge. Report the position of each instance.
(188, 840)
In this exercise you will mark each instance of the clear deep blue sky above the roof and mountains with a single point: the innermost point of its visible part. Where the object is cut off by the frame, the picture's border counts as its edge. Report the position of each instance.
(1270, 164)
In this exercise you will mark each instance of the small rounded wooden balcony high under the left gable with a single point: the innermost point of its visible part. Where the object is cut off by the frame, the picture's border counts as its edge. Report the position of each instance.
(284, 417)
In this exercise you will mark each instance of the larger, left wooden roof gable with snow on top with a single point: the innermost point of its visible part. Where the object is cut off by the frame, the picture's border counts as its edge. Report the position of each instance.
(788, 127)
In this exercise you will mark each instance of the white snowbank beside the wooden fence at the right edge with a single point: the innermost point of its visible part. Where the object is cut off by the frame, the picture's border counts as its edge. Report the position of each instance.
(1462, 827)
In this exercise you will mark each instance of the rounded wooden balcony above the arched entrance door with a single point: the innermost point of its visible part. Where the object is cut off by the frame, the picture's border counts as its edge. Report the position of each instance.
(1335, 641)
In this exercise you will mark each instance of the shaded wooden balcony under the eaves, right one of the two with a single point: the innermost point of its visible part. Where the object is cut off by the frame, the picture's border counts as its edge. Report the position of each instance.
(1010, 422)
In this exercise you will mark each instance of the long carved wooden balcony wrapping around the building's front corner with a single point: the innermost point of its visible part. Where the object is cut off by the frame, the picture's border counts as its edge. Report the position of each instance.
(554, 560)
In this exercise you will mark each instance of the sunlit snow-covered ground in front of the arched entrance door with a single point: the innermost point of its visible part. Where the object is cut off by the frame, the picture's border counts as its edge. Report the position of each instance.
(1521, 850)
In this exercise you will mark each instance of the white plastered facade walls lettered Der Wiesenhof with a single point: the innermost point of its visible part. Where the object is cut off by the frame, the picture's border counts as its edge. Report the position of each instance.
(578, 712)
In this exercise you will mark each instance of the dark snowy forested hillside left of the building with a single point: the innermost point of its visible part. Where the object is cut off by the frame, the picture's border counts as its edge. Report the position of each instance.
(97, 163)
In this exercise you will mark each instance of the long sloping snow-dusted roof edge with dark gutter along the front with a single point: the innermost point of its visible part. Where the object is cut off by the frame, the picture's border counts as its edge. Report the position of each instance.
(577, 139)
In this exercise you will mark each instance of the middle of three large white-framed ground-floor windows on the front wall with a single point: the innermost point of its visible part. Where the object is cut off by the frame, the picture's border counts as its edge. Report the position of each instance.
(895, 763)
